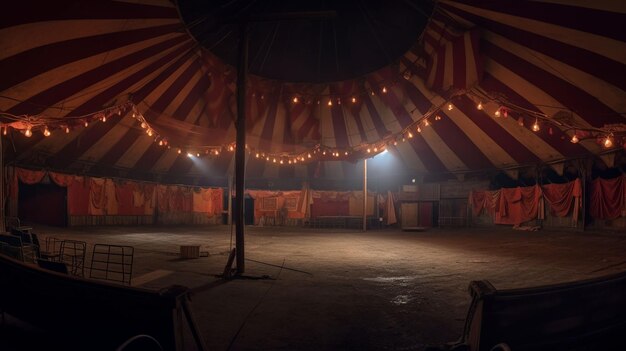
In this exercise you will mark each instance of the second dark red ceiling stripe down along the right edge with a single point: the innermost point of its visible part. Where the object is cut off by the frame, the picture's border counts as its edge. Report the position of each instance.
(595, 64)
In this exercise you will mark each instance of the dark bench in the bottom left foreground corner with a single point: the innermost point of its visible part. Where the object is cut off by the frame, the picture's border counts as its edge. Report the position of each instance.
(94, 315)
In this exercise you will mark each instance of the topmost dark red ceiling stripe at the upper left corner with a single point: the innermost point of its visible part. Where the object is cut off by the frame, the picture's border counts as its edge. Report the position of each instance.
(26, 12)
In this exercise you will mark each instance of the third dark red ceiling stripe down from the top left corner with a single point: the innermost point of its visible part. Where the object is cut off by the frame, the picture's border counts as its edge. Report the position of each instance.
(36, 104)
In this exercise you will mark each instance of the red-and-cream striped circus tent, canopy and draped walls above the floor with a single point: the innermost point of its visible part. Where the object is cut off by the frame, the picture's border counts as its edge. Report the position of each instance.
(450, 113)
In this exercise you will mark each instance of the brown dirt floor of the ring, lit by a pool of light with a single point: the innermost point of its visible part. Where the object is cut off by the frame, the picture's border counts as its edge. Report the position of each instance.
(329, 289)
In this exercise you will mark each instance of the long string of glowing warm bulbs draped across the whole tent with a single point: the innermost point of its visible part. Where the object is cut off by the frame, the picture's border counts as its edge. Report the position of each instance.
(608, 136)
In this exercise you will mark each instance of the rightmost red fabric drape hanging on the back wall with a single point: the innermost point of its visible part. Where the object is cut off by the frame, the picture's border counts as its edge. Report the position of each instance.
(607, 198)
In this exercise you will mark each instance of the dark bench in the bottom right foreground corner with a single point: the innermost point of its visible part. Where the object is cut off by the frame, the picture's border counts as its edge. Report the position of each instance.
(582, 315)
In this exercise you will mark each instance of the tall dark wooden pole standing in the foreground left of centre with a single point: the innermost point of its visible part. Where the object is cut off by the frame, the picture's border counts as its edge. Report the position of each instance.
(240, 152)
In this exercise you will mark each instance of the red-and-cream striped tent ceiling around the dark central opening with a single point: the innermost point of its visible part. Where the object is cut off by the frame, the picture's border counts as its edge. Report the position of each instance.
(135, 93)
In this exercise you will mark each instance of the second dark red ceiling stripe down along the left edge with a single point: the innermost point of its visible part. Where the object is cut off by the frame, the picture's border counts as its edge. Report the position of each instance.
(29, 64)
